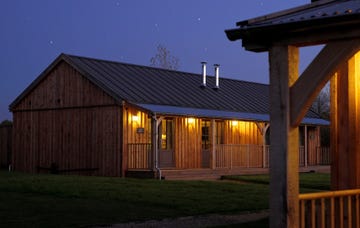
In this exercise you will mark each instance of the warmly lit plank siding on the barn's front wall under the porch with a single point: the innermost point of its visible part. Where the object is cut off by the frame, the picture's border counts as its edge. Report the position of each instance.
(187, 138)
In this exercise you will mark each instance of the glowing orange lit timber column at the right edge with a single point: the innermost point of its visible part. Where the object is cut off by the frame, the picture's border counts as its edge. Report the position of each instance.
(345, 122)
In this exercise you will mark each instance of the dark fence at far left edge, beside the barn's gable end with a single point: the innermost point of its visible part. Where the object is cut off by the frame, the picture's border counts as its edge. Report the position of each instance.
(5, 145)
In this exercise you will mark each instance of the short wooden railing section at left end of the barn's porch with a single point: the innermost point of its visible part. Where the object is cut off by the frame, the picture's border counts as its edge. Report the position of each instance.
(139, 156)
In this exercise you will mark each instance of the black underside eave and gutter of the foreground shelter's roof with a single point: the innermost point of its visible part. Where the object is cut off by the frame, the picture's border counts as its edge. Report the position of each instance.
(260, 38)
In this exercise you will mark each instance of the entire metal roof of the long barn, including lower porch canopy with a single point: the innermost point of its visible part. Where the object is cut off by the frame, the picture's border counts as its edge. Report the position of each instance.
(172, 92)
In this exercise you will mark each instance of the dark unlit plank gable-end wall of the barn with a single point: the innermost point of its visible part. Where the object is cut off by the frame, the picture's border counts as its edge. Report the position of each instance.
(68, 121)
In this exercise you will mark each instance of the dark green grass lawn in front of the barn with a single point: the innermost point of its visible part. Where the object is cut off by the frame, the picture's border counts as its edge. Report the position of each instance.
(76, 201)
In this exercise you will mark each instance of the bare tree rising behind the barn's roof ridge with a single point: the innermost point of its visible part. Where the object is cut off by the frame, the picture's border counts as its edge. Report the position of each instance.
(164, 59)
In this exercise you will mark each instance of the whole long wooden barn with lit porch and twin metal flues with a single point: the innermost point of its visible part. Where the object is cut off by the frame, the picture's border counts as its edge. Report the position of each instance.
(95, 117)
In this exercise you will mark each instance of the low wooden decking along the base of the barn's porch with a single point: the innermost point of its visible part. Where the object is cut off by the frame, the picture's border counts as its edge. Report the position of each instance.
(214, 174)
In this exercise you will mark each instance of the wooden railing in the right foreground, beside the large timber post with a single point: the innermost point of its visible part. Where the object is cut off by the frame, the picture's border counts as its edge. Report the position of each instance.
(330, 209)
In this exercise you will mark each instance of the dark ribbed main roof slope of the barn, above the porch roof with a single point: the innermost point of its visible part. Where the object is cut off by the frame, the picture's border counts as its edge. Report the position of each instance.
(139, 84)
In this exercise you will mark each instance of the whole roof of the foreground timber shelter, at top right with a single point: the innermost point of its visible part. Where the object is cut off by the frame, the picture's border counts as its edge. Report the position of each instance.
(319, 22)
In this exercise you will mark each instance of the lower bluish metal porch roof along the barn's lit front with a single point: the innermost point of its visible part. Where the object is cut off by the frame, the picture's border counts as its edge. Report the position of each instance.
(218, 114)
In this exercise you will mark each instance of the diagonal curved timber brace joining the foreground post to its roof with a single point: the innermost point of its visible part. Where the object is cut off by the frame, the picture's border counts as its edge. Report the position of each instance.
(313, 79)
